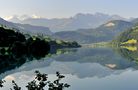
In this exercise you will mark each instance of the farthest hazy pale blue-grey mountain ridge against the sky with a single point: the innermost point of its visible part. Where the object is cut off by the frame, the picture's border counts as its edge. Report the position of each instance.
(73, 23)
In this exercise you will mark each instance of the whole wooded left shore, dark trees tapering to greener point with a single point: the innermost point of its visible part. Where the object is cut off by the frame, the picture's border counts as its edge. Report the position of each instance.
(16, 42)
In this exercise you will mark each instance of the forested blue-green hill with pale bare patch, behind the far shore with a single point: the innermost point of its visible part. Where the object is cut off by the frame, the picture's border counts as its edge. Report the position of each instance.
(105, 32)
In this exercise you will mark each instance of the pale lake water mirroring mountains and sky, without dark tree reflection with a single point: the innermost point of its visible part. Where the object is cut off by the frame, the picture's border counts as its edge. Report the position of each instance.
(84, 69)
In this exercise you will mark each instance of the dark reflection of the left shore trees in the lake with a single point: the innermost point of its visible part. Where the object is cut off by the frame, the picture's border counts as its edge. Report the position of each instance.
(11, 60)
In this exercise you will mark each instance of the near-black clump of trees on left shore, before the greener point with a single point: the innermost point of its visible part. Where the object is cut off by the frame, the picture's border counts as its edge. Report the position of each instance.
(15, 42)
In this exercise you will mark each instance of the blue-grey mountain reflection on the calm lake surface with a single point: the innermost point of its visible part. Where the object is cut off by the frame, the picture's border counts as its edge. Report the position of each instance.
(84, 62)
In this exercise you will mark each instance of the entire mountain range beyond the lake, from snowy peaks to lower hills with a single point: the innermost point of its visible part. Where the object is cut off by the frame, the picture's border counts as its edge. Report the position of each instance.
(83, 28)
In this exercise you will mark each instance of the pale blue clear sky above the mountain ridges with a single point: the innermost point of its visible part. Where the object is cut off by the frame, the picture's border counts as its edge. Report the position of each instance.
(67, 8)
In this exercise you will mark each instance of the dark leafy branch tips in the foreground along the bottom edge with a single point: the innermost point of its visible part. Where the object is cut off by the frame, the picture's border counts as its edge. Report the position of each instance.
(40, 82)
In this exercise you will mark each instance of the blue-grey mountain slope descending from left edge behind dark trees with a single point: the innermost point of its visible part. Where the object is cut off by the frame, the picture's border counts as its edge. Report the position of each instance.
(26, 28)
